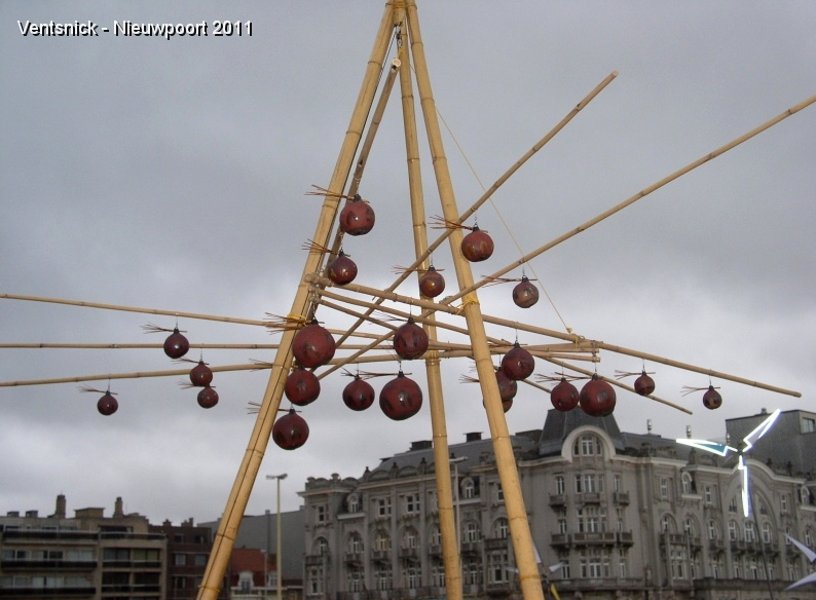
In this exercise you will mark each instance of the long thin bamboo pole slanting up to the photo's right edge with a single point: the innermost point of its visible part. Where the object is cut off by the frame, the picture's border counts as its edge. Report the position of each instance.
(638, 196)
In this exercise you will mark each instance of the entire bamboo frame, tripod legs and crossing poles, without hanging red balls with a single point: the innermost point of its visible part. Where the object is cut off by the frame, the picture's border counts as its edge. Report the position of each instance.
(400, 23)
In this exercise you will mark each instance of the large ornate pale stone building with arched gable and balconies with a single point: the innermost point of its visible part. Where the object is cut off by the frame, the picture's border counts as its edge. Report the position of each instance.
(626, 515)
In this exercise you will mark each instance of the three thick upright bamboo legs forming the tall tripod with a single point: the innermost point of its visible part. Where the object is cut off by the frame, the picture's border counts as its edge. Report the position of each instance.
(399, 19)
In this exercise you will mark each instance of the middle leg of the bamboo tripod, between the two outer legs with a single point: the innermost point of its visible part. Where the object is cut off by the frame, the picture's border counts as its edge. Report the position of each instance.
(448, 526)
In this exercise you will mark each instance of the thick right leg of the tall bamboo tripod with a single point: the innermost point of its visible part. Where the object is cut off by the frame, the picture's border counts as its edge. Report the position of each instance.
(505, 460)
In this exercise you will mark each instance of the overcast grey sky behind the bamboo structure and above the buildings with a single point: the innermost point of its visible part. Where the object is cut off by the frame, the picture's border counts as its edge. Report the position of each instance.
(172, 174)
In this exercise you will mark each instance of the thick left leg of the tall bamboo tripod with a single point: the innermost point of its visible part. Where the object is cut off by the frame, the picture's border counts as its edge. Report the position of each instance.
(301, 306)
